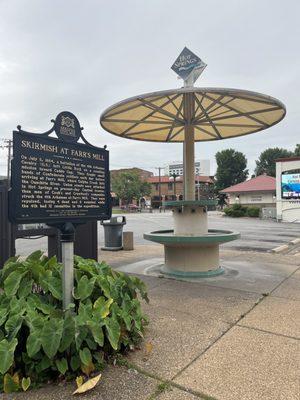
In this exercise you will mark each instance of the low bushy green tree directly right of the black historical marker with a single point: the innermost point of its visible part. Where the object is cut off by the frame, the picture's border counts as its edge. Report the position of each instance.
(129, 186)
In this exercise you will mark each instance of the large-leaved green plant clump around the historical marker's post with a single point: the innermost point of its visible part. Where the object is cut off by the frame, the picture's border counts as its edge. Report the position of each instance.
(41, 342)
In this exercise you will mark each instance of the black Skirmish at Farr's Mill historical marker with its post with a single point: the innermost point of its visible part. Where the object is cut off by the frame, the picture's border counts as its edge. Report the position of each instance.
(60, 182)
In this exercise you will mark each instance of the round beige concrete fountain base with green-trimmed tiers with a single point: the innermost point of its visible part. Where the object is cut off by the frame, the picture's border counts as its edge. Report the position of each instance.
(191, 250)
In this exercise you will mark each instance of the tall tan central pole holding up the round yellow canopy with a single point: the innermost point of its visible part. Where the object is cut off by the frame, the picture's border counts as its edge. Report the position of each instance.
(189, 146)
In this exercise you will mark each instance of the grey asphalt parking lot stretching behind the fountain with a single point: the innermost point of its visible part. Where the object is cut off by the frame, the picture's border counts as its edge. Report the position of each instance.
(256, 234)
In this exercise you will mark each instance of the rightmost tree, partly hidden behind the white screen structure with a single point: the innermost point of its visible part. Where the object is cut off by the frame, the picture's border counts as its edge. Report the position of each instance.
(266, 162)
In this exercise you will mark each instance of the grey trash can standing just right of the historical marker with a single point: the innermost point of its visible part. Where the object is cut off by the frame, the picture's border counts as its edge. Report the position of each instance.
(113, 233)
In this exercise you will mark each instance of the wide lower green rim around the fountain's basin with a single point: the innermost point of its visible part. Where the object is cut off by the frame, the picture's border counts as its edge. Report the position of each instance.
(216, 236)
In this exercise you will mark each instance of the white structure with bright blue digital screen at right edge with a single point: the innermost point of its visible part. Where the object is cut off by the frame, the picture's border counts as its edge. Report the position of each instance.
(288, 189)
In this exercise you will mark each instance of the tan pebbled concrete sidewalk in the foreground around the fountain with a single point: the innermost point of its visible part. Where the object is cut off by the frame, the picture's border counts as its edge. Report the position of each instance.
(219, 339)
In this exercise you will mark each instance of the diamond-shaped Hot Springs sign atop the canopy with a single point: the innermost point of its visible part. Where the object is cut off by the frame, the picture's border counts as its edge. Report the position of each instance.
(186, 63)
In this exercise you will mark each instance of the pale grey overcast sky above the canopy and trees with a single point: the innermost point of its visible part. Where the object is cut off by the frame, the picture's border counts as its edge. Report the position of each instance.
(83, 56)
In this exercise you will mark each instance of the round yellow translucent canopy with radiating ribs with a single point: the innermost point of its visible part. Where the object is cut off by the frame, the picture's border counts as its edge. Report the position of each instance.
(214, 113)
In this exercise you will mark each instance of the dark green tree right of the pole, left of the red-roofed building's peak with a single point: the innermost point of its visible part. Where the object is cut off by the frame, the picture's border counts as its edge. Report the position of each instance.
(231, 168)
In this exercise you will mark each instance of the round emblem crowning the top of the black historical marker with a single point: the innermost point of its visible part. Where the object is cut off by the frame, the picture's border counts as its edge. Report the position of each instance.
(67, 127)
